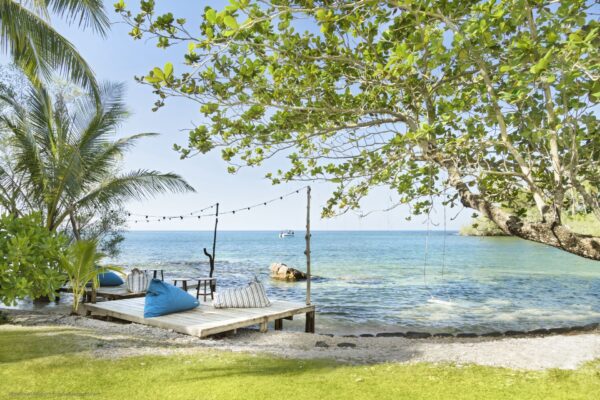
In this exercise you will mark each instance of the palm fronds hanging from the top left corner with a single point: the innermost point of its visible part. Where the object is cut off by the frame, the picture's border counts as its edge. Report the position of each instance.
(37, 48)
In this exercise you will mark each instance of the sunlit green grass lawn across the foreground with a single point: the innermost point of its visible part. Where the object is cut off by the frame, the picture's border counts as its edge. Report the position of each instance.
(47, 363)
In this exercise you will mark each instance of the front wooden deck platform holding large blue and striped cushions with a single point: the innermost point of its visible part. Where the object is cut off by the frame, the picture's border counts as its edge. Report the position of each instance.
(206, 320)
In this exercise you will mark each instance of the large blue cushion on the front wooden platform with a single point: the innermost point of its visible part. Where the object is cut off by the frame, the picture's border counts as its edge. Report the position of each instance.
(163, 298)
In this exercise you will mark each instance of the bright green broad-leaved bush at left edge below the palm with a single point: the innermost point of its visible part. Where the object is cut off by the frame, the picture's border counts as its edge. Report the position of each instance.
(30, 258)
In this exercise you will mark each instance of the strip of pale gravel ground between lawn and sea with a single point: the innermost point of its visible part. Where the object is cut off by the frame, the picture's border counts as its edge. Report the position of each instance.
(531, 353)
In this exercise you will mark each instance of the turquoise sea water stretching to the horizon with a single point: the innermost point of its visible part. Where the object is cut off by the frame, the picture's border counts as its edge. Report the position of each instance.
(375, 281)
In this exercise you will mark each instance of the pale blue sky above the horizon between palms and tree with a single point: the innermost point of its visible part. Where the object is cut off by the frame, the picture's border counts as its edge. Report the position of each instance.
(119, 58)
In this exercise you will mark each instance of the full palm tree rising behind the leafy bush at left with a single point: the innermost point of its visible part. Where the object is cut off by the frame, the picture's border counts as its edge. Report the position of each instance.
(67, 161)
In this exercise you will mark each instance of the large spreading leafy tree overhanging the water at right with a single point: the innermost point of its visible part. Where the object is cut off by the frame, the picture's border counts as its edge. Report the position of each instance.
(487, 103)
